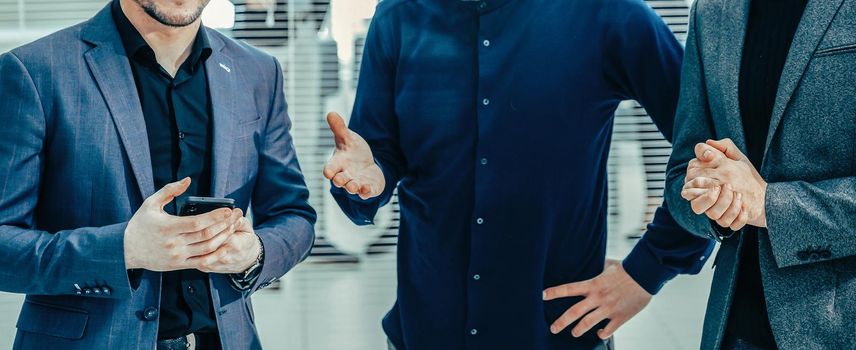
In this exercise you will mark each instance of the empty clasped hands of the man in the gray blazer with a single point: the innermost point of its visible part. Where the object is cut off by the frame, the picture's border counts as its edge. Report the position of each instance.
(722, 184)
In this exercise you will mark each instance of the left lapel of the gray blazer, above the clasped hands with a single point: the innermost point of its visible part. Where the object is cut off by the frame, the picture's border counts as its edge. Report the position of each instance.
(730, 51)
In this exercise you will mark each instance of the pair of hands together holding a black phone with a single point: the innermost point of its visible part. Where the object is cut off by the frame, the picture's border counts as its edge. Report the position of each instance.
(220, 241)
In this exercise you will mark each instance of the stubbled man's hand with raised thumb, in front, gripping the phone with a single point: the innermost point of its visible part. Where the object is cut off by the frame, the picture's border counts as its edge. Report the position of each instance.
(157, 241)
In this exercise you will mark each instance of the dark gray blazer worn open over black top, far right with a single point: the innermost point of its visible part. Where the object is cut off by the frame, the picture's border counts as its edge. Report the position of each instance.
(808, 252)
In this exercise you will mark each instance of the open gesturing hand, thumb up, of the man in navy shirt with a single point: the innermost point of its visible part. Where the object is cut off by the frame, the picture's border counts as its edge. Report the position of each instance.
(352, 166)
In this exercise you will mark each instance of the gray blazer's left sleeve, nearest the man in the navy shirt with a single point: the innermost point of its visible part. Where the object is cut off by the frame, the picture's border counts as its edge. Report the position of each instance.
(693, 124)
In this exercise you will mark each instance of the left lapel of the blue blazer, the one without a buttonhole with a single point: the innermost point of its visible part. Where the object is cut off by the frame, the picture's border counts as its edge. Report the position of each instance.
(109, 66)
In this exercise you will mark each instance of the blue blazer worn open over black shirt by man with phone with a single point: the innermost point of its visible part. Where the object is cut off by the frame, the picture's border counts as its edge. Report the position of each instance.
(75, 166)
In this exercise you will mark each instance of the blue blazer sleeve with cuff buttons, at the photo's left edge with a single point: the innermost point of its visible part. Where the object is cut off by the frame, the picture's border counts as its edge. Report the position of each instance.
(34, 261)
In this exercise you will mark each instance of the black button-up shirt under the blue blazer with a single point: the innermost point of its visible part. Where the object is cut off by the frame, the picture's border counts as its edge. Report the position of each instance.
(177, 112)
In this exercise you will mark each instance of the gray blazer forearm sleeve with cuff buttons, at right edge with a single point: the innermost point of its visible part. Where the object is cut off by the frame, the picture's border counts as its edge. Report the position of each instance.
(805, 217)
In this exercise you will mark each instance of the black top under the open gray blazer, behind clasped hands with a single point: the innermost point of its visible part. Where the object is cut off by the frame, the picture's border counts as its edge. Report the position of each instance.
(771, 28)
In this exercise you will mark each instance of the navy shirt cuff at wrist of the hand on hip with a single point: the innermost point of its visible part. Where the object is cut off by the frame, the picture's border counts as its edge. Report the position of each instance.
(644, 267)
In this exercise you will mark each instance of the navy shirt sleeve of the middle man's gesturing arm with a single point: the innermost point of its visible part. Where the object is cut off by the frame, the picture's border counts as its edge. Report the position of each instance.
(375, 120)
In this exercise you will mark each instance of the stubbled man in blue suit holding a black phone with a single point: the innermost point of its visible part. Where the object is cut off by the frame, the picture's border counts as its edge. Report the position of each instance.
(107, 127)
